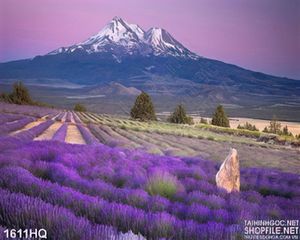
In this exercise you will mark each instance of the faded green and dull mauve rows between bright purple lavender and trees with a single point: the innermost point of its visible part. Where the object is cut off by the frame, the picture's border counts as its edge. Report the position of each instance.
(197, 140)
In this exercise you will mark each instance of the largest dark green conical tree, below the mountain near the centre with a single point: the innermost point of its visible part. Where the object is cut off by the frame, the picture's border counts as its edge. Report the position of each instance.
(143, 108)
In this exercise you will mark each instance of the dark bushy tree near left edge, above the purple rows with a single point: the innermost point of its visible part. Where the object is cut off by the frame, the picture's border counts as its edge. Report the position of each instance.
(20, 94)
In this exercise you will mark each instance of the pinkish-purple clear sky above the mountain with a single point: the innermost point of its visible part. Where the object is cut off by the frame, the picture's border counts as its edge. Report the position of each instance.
(261, 35)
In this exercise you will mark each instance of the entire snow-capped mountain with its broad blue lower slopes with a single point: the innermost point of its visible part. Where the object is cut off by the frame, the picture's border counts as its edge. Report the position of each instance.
(153, 61)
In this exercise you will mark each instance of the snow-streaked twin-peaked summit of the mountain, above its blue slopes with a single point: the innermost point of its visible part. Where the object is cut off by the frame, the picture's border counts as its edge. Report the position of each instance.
(119, 37)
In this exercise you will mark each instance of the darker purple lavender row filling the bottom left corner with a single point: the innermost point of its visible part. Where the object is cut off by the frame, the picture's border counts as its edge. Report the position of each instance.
(22, 212)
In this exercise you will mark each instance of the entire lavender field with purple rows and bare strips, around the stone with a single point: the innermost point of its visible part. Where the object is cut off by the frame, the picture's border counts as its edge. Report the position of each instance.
(85, 176)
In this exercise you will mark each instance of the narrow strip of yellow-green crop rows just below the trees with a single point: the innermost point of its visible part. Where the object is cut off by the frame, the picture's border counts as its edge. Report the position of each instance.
(200, 131)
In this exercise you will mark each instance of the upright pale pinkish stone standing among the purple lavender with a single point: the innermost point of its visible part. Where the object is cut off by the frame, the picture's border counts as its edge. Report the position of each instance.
(228, 177)
